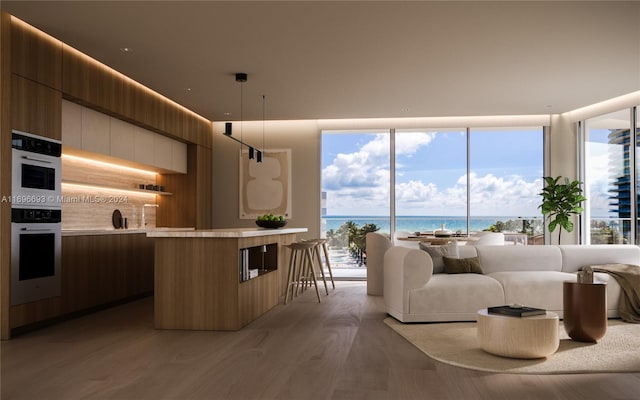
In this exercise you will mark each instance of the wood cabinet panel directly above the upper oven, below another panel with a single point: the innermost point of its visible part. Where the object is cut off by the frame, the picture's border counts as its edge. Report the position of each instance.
(36, 108)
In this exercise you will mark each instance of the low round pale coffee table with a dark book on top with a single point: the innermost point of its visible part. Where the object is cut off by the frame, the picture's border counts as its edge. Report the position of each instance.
(515, 337)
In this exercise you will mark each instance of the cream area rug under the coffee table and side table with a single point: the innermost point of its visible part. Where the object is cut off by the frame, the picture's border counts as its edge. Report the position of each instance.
(455, 343)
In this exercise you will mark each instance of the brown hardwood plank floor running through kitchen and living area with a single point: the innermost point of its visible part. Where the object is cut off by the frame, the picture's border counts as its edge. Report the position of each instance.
(339, 349)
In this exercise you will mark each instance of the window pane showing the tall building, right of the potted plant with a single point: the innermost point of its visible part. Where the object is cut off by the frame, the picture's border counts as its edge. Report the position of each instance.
(608, 163)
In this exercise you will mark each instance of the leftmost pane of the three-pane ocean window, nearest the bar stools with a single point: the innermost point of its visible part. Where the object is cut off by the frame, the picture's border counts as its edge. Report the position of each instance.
(355, 194)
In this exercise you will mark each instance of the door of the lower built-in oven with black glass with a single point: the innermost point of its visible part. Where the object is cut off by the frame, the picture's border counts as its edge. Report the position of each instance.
(35, 261)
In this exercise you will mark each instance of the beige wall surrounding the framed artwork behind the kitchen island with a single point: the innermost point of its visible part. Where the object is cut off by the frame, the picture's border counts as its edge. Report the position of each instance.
(302, 137)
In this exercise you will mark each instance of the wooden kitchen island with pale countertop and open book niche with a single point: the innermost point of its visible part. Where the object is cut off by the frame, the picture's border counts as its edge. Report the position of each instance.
(218, 279)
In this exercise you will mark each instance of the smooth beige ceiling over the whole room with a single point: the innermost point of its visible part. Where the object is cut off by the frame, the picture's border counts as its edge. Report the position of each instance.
(358, 59)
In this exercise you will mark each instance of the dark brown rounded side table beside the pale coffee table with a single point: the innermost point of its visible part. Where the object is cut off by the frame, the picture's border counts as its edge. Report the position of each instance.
(585, 310)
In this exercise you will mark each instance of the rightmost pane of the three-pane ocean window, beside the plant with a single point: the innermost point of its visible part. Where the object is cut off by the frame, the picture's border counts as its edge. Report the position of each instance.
(506, 170)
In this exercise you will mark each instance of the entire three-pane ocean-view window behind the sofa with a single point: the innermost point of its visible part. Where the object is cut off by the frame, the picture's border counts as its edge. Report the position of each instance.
(466, 179)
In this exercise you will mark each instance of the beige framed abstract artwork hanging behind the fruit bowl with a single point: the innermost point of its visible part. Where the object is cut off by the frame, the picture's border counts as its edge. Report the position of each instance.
(265, 188)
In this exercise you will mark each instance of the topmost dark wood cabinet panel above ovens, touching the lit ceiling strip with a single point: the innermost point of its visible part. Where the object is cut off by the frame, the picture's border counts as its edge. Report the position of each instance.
(35, 55)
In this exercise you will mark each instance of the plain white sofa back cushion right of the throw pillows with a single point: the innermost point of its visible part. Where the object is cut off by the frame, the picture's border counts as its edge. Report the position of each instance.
(519, 258)
